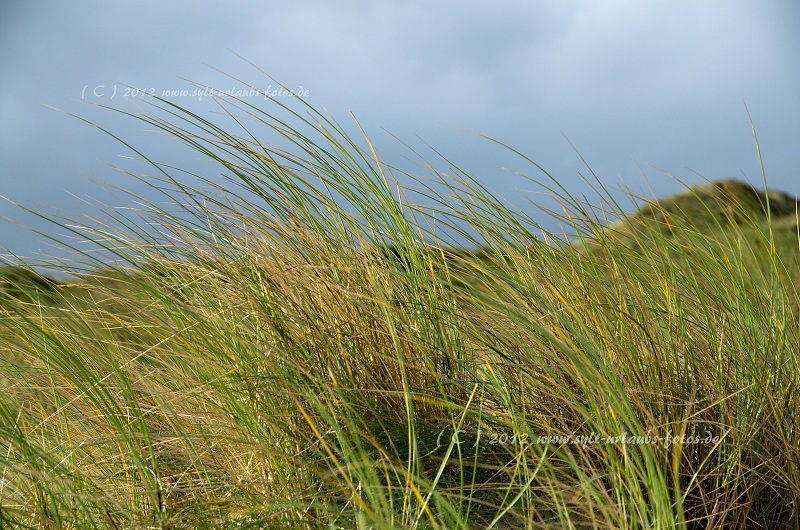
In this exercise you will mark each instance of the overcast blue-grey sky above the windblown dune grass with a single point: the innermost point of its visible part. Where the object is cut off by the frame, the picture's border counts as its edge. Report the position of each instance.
(650, 94)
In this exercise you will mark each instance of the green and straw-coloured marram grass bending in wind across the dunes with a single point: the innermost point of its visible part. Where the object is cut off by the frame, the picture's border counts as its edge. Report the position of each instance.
(302, 348)
